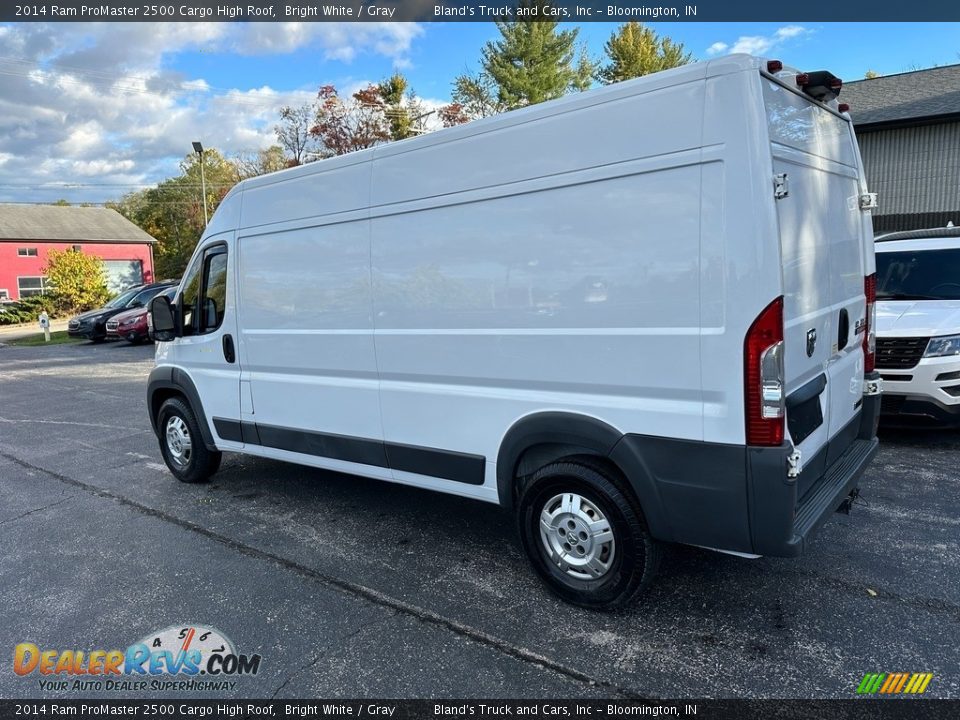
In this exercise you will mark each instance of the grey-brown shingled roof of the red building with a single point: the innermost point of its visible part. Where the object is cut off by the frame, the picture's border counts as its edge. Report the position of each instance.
(51, 222)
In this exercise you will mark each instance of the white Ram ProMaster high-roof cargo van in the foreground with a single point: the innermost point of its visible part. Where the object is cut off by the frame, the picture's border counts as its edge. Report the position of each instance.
(636, 315)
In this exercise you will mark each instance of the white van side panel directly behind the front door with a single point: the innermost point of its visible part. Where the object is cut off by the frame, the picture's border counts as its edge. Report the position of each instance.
(307, 338)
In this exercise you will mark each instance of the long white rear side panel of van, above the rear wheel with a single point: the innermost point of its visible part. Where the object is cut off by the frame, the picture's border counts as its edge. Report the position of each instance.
(574, 292)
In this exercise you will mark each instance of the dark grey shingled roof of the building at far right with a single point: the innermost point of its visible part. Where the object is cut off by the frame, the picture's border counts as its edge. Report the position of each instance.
(905, 97)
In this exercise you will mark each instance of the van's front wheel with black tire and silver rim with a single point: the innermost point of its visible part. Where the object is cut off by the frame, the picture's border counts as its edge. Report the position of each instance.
(181, 443)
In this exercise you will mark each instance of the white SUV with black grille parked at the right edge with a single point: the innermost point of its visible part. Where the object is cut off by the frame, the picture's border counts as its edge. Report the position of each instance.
(918, 325)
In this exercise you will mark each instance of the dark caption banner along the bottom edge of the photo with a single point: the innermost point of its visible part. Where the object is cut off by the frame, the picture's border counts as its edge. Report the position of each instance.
(854, 709)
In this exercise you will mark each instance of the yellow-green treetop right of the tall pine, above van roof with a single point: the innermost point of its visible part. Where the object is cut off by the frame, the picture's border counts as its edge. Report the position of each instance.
(635, 50)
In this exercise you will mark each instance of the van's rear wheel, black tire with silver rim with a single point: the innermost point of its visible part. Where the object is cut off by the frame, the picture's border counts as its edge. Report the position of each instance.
(612, 559)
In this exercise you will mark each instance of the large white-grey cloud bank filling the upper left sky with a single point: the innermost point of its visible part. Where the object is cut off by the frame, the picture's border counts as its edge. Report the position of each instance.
(96, 103)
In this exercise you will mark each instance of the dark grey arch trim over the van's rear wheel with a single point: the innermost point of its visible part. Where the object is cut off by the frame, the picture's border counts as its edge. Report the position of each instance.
(587, 432)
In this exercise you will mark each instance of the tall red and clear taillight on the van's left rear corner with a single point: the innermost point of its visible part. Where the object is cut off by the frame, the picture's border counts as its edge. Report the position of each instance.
(763, 377)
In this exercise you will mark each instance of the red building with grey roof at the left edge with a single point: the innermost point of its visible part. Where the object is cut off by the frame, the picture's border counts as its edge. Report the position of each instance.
(29, 232)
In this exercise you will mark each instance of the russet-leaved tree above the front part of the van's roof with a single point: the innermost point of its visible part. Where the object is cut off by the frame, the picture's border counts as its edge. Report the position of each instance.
(344, 126)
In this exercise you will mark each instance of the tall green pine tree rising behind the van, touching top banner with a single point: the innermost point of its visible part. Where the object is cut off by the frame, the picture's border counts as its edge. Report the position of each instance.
(534, 60)
